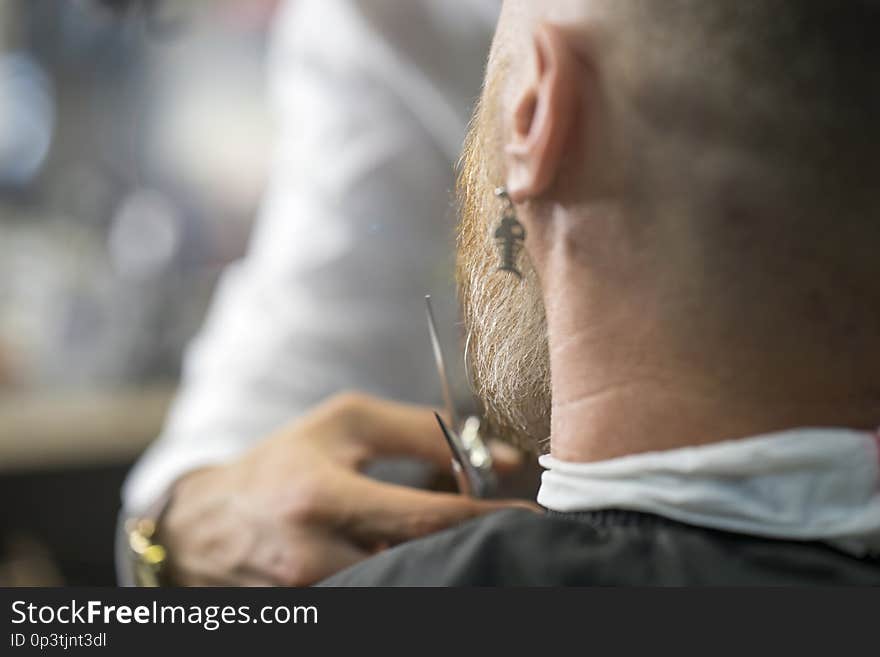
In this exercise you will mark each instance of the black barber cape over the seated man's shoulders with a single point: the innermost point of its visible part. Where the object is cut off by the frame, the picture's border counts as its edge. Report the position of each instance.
(604, 548)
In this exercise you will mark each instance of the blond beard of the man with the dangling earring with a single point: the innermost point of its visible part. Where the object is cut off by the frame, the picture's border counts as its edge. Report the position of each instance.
(507, 352)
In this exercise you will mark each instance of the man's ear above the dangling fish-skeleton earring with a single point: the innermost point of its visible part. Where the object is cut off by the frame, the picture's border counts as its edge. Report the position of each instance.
(542, 116)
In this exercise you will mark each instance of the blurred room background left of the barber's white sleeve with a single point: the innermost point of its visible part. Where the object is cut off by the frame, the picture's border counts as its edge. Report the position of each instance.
(134, 146)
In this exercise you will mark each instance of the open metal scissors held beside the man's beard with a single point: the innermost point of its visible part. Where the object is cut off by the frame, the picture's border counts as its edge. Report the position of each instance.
(471, 458)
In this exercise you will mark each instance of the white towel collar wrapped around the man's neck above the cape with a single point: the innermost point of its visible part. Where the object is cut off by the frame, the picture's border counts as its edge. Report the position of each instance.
(802, 484)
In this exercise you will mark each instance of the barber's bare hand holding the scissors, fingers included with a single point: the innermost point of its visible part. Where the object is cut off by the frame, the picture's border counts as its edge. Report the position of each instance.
(296, 508)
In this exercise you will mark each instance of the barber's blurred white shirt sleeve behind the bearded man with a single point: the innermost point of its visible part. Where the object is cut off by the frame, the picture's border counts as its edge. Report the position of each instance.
(372, 98)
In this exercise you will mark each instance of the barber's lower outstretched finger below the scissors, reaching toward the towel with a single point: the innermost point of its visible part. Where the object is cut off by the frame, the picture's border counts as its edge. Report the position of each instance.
(380, 512)
